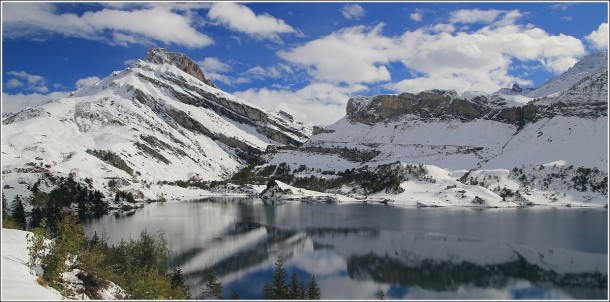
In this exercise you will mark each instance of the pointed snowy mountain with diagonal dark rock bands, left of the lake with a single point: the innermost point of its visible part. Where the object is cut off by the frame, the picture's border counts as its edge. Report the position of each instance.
(159, 119)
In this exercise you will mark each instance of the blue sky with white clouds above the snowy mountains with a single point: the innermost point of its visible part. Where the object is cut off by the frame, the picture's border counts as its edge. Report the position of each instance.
(305, 58)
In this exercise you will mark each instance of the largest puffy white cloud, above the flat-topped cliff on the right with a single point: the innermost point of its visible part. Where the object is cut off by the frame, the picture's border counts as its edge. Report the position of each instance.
(481, 60)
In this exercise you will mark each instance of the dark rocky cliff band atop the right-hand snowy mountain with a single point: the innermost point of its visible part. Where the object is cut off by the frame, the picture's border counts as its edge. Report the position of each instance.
(587, 98)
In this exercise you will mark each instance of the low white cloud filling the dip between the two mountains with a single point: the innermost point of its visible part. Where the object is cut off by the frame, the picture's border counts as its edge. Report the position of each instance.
(315, 104)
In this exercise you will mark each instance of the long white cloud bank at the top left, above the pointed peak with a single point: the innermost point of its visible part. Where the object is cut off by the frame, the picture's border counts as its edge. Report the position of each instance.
(141, 25)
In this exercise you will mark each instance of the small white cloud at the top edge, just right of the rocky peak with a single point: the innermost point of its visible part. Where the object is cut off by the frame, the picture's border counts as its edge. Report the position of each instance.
(242, 19)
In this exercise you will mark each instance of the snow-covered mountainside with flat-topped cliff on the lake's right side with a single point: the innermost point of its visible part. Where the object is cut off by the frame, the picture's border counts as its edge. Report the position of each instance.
(471, 143)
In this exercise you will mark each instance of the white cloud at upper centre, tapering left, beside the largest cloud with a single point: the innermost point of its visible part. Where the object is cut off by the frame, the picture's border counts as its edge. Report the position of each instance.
(351, 55)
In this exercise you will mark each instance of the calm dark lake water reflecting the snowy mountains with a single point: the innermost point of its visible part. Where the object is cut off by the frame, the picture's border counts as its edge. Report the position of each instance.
(355, 250)
